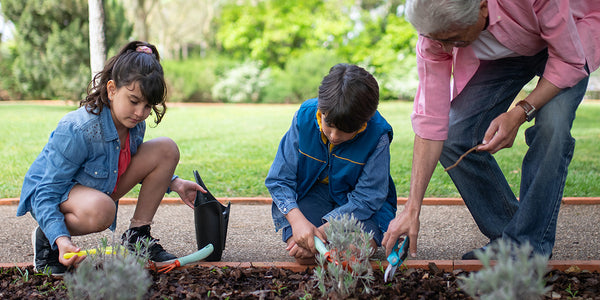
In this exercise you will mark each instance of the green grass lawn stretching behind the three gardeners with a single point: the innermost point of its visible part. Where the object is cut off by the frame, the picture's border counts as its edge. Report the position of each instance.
(232, 146)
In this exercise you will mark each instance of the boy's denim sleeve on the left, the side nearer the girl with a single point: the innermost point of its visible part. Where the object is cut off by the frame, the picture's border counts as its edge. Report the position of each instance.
(281, 179)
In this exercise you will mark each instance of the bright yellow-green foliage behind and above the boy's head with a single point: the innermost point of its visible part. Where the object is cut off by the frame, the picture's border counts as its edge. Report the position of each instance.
(369, 33)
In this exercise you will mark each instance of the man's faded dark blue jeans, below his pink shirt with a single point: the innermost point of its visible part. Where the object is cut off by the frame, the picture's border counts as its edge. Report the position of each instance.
(478, 177)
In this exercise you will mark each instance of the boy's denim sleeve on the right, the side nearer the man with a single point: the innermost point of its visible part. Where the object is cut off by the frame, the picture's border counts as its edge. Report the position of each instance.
(371, 191)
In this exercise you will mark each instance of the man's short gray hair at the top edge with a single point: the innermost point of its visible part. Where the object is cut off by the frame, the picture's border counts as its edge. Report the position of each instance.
(433, 16)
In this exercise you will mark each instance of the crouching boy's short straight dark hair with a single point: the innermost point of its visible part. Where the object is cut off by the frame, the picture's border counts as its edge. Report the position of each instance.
(348, 96)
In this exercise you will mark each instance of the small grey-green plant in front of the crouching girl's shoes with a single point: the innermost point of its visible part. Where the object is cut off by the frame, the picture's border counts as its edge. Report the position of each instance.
(121, 275)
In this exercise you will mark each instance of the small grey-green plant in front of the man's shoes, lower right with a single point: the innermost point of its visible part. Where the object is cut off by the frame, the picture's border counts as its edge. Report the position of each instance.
(517, 273)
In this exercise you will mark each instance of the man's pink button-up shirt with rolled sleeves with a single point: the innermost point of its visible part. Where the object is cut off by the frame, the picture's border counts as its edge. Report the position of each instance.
(569, 29)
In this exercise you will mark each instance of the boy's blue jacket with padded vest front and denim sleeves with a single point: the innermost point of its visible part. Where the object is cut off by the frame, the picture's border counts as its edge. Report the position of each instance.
(359, 179)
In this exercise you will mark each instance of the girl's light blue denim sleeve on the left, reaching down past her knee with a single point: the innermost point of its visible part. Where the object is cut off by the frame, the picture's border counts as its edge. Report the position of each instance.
(64, 154)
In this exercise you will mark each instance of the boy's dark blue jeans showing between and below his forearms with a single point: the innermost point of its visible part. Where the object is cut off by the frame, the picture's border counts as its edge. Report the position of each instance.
(317, 203)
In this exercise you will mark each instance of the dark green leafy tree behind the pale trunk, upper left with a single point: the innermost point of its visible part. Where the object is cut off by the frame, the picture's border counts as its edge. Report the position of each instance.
(51, 39)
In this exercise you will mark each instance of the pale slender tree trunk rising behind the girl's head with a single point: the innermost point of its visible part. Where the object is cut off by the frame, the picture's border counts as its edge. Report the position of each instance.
(97, 44)
